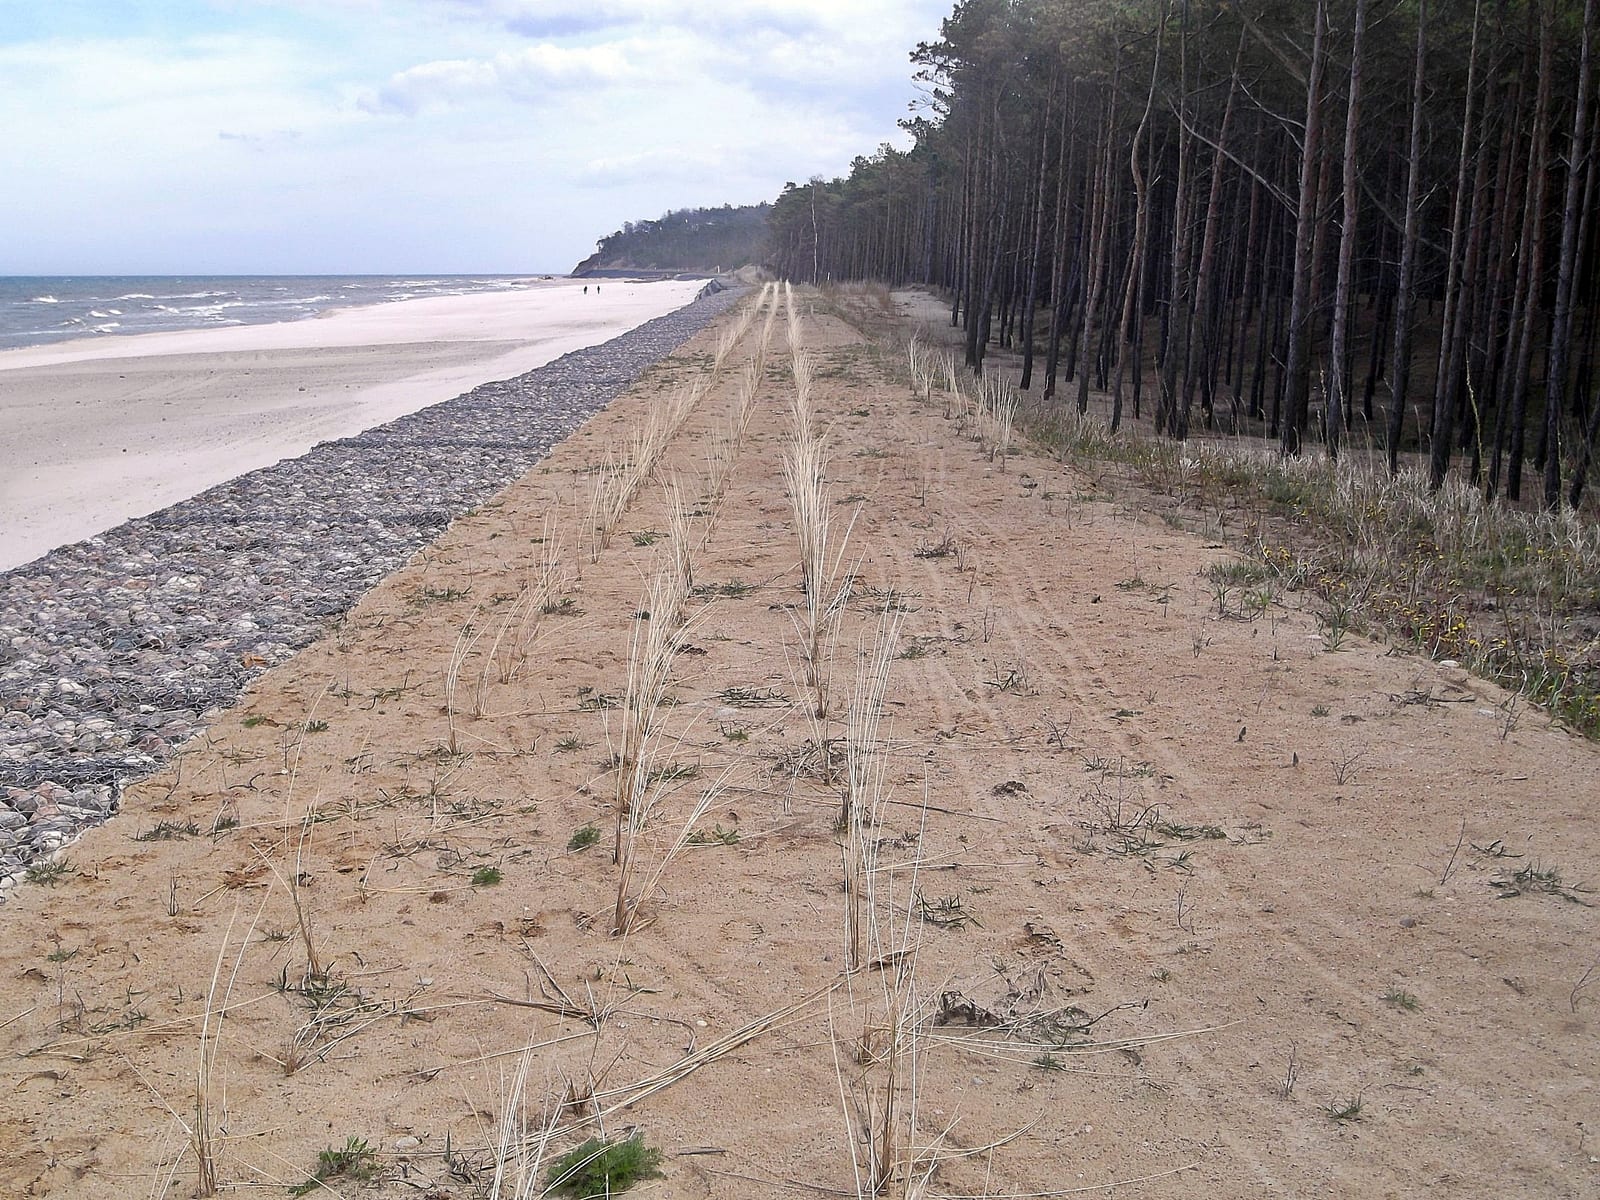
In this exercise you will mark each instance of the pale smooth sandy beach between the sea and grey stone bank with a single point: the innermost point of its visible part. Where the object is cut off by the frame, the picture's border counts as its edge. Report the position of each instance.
(108, 430)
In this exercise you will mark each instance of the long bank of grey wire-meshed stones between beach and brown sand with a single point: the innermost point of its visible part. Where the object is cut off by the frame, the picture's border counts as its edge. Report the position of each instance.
(124, 642)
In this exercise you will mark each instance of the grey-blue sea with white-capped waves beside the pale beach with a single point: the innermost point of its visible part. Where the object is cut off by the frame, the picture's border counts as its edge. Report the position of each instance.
(46, 310)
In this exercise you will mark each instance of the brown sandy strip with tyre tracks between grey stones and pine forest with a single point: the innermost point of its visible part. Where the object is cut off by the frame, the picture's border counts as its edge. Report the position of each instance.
(1174, 895)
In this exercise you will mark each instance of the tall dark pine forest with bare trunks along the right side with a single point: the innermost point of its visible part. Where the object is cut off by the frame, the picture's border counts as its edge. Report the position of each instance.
(1367, 225)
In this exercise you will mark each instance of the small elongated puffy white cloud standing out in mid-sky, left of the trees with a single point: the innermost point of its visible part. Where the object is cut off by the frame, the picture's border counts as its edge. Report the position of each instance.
(527, 76)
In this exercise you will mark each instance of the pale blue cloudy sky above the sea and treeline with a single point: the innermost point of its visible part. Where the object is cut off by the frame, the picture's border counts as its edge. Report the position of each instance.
(391, 137)
